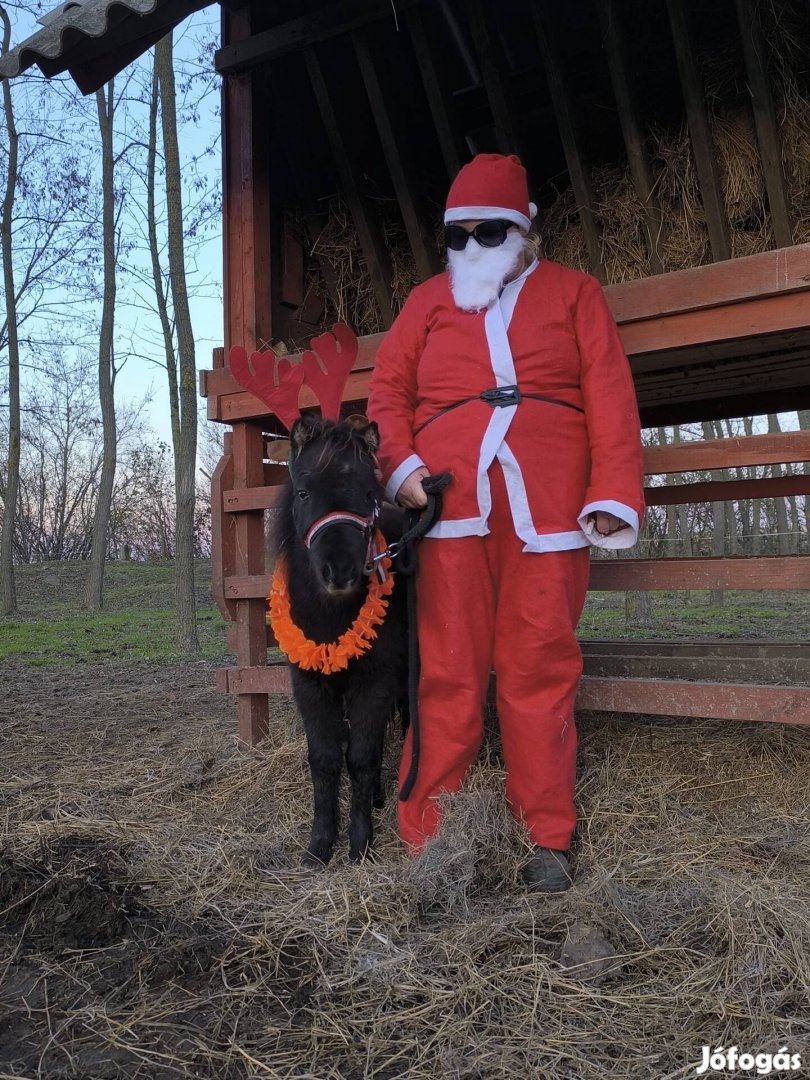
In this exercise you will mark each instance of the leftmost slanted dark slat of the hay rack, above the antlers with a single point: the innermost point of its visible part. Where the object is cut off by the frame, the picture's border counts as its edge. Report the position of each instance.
(370, 233)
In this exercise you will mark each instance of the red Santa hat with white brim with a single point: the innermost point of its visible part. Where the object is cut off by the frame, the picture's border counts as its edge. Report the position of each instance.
(491, 186)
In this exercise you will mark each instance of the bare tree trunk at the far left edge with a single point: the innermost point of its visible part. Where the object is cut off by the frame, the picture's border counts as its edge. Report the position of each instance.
(11, 493)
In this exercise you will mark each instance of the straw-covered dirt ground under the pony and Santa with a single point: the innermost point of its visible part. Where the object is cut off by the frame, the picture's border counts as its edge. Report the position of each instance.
(155, 922)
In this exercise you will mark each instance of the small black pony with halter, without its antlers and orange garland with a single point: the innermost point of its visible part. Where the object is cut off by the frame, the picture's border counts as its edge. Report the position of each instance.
(325, 528)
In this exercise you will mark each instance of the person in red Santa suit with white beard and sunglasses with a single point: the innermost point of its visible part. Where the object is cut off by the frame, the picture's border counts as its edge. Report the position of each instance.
(507, 372)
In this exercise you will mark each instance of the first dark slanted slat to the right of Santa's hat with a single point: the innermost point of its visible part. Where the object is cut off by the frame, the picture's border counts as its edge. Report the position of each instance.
(565, 112)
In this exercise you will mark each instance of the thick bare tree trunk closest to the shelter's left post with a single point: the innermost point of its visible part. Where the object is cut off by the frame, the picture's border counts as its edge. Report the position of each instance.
(184, 428)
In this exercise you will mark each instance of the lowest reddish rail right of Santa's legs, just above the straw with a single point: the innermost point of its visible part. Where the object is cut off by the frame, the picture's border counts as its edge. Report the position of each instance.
(722, 701)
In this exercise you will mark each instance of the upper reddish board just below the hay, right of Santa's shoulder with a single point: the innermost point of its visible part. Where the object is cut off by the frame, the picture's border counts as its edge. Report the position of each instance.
(754, 277)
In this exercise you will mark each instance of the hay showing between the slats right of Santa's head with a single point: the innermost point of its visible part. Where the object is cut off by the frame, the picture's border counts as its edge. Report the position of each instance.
(684, 240)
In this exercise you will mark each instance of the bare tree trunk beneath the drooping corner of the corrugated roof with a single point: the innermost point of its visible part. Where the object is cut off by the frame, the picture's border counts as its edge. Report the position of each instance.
(106, 394)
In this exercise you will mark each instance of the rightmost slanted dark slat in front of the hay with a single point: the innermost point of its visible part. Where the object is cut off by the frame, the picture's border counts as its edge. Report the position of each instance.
(765, 119)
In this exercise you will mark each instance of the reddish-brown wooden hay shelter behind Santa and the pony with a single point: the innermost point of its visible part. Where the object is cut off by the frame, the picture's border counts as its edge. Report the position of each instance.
(379, 104)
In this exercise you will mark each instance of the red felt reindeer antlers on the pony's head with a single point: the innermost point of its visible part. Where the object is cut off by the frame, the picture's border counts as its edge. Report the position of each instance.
(275, 381)
